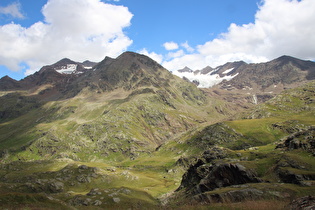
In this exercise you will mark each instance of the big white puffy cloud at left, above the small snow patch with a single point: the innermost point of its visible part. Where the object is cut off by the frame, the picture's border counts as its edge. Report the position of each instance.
(77, 29)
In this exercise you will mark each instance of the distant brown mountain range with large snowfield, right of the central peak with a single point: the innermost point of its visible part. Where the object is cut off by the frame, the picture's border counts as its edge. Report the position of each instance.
(276, 75)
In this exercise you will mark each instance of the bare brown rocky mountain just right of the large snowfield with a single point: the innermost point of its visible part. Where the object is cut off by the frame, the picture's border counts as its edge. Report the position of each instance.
(274, 76)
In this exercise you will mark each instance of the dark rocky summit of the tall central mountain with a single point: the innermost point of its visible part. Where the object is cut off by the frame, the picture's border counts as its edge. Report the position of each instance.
(129, 70)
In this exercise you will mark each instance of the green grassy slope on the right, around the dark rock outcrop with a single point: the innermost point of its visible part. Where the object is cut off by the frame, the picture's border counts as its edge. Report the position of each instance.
(252, 143)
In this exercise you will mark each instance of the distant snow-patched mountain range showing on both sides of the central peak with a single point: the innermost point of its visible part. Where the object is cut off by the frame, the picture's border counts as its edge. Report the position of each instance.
(276, 75)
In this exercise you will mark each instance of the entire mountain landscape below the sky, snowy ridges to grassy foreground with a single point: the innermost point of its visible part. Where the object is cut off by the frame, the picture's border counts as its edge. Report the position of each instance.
(128, 133)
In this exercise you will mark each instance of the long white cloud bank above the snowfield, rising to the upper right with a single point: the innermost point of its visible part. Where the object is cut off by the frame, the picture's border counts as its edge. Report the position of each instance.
(281, 27)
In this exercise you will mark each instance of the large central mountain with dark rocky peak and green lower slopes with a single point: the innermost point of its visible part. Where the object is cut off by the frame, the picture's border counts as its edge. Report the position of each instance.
(121, 107)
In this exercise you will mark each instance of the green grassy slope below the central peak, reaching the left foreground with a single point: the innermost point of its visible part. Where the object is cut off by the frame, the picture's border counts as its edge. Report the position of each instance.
(105, 131)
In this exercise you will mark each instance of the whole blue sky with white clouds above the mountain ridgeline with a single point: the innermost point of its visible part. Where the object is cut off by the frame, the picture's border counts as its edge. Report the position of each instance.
(175, 33)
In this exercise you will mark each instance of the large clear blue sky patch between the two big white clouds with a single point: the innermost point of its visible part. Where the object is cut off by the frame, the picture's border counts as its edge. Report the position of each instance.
(157, 22)
